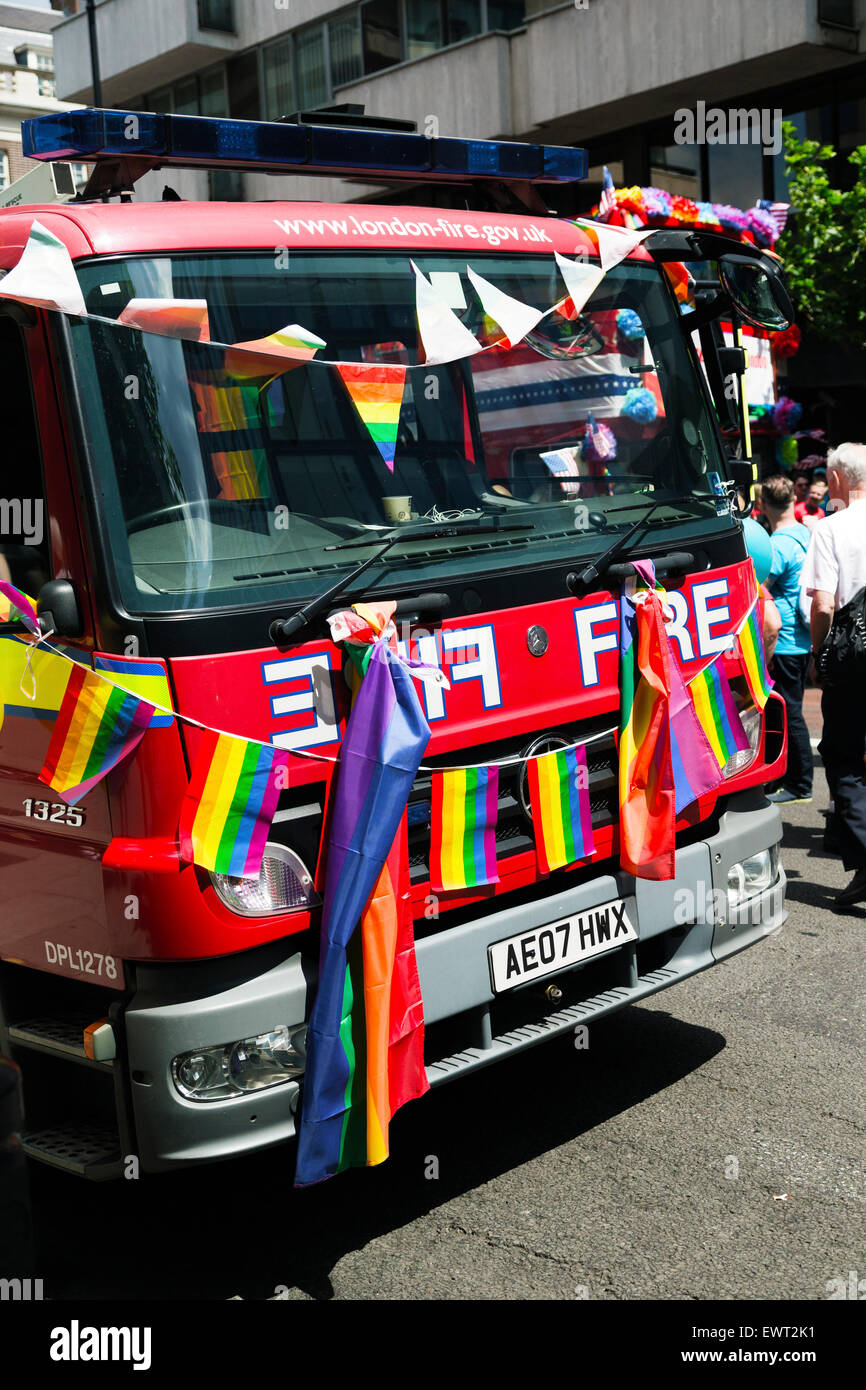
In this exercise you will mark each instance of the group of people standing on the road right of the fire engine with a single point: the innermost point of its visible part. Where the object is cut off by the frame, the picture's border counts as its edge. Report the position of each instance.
(818, 541)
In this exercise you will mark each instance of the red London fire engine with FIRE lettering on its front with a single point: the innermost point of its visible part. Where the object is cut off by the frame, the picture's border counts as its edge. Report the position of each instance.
(173, 526)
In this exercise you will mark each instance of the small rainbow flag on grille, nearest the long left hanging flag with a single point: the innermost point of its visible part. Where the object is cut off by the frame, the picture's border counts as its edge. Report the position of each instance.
(464, 829)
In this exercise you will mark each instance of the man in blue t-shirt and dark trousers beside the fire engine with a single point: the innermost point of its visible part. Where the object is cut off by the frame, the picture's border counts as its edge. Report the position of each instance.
(790, 541)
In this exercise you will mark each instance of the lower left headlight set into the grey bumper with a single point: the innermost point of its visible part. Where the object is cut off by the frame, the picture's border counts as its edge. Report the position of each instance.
(218, 1074)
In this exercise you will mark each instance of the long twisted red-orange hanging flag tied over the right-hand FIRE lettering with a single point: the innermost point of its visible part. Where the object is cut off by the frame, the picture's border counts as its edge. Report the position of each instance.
(647, 786)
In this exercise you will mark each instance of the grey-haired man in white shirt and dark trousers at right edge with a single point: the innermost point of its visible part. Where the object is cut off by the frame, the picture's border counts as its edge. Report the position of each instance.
(833, 572)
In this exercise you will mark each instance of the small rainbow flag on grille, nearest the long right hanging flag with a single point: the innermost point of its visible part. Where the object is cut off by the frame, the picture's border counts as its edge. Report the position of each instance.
(559, 797)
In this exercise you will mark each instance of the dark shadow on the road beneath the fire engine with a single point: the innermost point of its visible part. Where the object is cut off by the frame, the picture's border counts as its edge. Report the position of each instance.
(240, 1228)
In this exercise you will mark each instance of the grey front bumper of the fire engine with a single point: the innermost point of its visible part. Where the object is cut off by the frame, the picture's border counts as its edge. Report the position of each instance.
(685, 926)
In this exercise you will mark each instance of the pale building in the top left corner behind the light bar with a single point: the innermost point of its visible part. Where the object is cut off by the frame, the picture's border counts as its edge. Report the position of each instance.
(27, 81)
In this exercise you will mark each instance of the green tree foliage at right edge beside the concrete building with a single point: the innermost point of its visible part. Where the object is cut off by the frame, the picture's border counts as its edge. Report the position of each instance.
(825, 244)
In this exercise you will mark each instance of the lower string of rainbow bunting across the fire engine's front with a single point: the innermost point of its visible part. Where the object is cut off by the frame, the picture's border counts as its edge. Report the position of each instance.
(236, 783)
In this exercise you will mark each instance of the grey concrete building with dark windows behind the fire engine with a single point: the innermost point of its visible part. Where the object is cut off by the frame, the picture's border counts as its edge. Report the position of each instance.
(614, 76)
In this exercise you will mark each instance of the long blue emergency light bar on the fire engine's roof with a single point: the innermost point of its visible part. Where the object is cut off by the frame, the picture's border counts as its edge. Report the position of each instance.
(276, 147)
